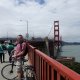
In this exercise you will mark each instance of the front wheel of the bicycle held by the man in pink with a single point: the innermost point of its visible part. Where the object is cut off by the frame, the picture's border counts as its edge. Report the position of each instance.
(8, 73)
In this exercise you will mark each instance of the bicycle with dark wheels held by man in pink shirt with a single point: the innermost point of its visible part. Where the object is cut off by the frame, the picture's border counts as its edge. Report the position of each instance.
(10, 69)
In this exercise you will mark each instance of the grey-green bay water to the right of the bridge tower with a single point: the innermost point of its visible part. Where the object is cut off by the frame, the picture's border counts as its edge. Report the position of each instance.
(71, 51)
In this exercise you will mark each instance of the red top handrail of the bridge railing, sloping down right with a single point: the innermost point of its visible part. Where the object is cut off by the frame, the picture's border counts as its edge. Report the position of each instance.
(65, 71)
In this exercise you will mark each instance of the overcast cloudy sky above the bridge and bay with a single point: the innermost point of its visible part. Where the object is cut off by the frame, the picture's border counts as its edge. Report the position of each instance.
(41, 15)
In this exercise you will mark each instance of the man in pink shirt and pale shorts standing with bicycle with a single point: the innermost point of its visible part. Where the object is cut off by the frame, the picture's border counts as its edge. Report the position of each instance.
(18, 55)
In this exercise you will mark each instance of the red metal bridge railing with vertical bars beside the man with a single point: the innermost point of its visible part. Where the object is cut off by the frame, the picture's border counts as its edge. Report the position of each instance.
(47, 68)
